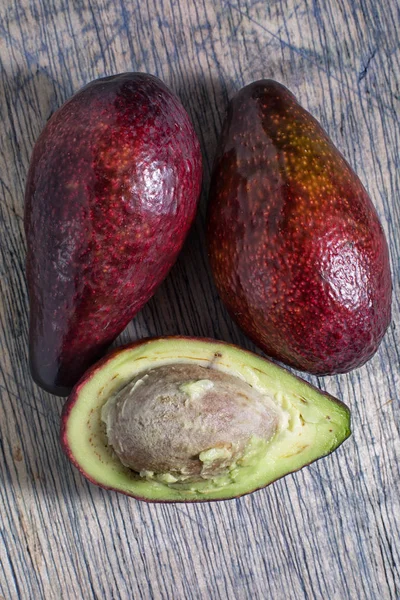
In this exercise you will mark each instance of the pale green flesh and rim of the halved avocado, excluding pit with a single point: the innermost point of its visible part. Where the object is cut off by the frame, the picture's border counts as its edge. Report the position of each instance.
(310, 423)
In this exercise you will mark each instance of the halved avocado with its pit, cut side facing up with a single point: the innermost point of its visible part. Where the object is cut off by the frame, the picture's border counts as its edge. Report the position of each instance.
(180, 419)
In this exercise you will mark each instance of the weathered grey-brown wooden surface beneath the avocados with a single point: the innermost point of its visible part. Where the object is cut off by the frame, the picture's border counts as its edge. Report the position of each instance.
(330, 531)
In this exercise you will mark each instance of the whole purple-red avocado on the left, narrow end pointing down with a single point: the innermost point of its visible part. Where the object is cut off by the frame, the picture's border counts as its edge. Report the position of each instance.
(112, 191)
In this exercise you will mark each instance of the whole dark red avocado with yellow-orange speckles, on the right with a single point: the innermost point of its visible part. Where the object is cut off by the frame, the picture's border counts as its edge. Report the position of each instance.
(295, 245)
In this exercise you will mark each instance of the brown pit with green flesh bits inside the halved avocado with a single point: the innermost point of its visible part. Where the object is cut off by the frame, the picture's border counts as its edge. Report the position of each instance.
(186, 423)
